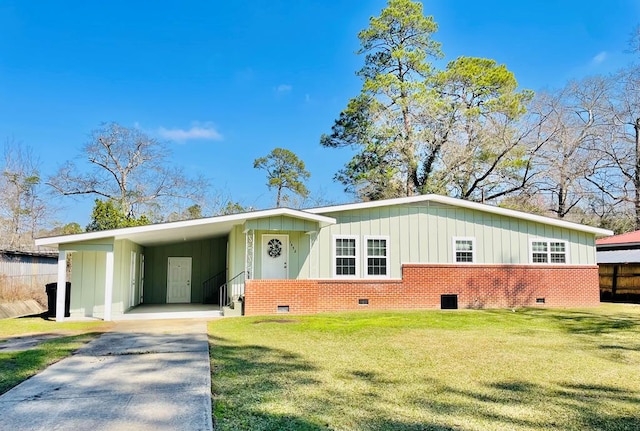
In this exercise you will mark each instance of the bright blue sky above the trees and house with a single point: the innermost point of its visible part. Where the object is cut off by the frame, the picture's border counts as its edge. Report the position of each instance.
(227, 81)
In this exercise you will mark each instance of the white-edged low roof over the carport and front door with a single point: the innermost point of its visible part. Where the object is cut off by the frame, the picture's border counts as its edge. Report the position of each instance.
(186, 230)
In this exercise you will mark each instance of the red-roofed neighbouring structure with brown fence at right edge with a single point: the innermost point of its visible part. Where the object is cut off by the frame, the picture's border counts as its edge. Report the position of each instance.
(618, 258)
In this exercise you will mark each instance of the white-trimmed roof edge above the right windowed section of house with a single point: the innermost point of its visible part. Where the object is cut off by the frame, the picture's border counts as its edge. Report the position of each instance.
(463, 204)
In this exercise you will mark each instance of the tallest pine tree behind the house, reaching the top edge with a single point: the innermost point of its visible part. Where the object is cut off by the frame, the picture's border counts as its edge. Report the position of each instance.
(381, 122)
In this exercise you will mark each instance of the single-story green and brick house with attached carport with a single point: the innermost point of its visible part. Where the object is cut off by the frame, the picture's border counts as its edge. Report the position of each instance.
(417, 252)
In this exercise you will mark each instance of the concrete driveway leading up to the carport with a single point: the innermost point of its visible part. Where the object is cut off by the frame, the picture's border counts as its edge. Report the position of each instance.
(151, 375)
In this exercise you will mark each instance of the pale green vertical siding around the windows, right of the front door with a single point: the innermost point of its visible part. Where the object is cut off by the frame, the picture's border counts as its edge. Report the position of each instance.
(424, 234)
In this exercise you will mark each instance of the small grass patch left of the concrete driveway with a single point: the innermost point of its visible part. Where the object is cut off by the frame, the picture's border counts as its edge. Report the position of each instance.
(16, 367)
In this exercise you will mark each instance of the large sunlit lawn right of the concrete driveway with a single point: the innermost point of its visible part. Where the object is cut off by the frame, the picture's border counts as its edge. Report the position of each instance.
(533, 369)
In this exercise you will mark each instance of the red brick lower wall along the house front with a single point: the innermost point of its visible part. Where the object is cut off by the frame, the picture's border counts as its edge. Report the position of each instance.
(421, 287)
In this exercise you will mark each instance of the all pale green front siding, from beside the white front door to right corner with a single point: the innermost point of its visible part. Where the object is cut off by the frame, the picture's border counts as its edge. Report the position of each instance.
(417, 234)
